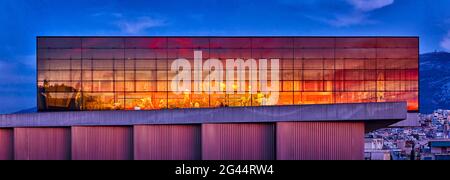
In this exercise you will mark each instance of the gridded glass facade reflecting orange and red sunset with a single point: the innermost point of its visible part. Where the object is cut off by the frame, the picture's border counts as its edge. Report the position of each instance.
(134, 73)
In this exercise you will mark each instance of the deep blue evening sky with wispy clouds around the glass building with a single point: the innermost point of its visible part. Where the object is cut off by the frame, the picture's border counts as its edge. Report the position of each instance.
(22, 20)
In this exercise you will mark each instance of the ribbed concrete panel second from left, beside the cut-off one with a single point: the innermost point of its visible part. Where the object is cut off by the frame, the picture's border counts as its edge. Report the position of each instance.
(42, 143)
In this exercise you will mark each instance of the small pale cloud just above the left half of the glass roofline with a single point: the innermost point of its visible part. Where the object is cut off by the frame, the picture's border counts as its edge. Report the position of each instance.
(138, 25)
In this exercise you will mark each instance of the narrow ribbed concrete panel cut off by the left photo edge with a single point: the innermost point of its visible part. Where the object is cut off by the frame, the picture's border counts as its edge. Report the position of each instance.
(6, 144)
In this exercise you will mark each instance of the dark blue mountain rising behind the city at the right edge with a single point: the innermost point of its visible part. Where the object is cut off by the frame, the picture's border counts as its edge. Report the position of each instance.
(434, 81)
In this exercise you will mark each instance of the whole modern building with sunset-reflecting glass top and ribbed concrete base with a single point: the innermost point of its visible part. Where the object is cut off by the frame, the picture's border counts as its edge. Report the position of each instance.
(213, 97)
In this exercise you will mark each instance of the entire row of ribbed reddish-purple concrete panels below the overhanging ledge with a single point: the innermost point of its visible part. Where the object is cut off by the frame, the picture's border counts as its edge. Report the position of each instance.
(224, 141)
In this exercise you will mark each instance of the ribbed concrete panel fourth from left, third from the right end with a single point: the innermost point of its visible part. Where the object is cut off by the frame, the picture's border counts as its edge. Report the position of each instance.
(167, 142)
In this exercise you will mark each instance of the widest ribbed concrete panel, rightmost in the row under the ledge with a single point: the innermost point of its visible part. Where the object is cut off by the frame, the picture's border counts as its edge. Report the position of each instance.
(320, 140)
